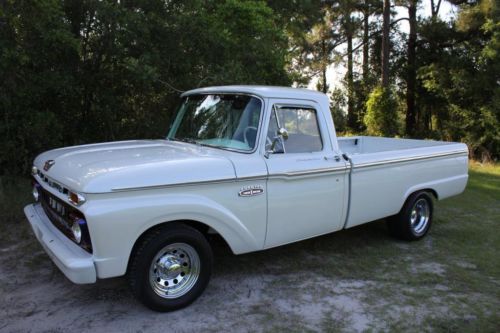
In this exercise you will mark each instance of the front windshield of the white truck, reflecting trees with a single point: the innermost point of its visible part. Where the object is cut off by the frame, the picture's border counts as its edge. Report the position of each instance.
(218, 120)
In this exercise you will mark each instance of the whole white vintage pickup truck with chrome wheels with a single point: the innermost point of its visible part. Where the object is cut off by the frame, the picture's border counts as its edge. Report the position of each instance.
(261, 166)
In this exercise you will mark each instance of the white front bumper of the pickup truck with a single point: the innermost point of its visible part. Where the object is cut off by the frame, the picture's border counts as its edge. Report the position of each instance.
(74, 262)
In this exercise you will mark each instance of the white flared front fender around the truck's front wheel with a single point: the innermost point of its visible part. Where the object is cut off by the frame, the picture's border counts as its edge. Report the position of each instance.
(115, 224)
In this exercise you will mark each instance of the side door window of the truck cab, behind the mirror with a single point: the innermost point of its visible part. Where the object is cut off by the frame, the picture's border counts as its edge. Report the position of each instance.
(302, 126)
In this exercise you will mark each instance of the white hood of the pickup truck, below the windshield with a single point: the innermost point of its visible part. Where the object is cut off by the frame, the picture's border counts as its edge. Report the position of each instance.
(104, 167)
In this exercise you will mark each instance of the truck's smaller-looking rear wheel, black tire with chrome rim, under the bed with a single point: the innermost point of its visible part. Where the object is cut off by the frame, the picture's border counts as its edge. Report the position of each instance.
(417, 206)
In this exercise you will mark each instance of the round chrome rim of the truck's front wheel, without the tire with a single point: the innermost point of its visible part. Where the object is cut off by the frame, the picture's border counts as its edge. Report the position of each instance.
(174, 270)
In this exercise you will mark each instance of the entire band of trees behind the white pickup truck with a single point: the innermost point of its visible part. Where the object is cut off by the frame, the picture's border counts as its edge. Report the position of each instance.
(86, 71)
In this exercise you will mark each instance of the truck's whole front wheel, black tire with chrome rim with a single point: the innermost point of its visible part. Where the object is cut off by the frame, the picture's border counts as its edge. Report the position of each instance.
(141, 269)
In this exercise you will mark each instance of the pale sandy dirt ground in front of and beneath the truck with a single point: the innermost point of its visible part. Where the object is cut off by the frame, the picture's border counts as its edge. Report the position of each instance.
(247, 293)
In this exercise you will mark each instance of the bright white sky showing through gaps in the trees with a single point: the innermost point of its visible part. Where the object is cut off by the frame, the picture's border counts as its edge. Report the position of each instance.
(335, 73)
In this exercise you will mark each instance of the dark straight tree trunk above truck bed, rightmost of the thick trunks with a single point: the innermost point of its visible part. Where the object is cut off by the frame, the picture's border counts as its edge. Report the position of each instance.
(411, 111)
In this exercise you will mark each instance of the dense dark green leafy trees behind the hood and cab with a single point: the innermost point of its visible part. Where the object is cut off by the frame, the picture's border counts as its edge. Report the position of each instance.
(92, 71)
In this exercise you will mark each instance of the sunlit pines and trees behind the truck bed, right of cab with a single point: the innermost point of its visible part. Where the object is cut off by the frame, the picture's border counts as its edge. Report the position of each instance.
(437, 80)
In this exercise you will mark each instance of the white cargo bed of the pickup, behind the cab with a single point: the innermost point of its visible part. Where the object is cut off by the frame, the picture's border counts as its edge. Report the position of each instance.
(385, 171)
